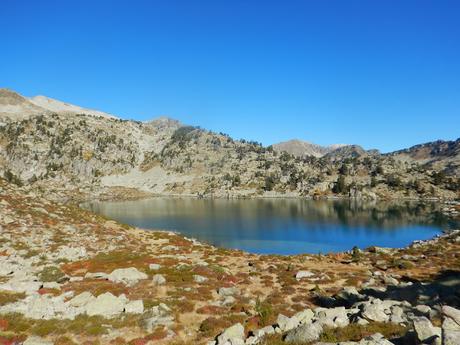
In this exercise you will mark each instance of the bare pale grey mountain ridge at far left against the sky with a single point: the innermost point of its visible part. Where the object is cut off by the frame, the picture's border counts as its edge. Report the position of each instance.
(13, 105)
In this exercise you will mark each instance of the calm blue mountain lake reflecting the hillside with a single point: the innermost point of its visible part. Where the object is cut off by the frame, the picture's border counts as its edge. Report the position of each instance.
(283, 226)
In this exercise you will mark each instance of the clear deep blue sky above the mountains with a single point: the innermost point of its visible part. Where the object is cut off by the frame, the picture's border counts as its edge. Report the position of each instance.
(384, 74)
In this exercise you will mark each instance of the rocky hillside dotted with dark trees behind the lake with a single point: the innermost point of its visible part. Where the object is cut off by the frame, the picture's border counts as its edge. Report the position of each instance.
(87, 156)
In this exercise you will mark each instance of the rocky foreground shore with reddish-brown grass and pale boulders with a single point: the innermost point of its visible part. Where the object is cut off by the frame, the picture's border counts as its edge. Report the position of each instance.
(68, 276)
